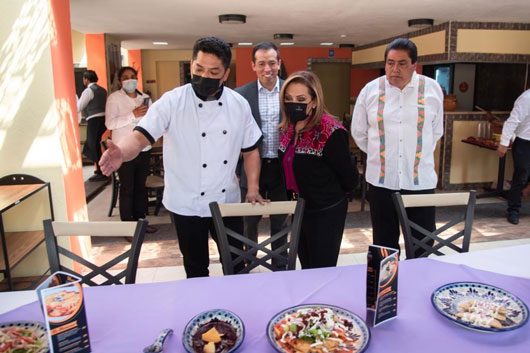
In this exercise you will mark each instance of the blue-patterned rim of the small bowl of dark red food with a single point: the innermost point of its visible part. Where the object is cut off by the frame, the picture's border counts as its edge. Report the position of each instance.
(207, 316)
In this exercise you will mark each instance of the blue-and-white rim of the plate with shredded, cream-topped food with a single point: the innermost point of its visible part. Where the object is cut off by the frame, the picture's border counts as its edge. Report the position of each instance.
(362, 333)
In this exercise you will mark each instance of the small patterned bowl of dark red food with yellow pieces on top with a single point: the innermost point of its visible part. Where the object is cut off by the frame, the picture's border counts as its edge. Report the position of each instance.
(213, 331)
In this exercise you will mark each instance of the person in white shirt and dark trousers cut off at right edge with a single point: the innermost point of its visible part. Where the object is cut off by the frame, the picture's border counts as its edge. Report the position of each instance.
(518, 125)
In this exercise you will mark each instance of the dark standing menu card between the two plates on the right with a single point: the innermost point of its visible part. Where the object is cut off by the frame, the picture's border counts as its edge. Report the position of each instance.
(381, 284)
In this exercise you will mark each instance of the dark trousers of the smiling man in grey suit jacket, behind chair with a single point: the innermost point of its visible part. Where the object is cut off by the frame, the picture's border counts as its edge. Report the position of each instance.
(272, 187)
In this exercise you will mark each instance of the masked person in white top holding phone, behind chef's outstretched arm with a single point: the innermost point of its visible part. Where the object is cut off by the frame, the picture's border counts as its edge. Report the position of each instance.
(125, 108)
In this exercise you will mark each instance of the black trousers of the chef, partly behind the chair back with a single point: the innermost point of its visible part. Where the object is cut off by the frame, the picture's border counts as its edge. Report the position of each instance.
(192, 234)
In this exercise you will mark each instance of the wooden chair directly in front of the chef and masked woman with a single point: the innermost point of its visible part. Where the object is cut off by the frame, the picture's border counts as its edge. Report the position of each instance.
(252, 255)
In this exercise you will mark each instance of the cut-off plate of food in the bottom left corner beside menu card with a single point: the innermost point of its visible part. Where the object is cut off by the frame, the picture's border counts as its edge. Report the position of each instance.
(23, 337)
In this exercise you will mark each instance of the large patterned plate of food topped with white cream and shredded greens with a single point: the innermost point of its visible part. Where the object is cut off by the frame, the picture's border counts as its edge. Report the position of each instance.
(318, 328)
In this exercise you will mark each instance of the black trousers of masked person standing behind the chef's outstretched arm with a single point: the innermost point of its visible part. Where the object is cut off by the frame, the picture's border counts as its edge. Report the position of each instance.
(133, 193)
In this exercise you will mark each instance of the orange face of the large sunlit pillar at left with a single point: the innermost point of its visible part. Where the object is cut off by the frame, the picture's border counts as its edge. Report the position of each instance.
(65, 100)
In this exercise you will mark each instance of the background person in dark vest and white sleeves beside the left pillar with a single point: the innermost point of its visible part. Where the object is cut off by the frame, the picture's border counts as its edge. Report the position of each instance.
(92, 105)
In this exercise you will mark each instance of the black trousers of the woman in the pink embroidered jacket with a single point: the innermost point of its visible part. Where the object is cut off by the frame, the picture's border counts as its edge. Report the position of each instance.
(321, 235)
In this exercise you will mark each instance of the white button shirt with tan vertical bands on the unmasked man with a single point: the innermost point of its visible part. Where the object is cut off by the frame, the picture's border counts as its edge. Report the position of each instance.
(401, 136)
